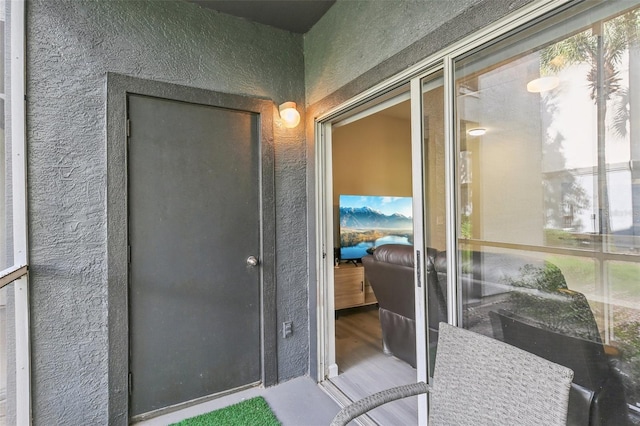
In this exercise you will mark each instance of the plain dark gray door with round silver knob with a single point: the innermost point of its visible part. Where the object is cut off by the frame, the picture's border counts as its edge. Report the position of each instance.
(194, 220)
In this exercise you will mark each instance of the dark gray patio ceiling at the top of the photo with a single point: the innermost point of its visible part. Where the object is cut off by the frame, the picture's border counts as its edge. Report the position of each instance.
(297, 16)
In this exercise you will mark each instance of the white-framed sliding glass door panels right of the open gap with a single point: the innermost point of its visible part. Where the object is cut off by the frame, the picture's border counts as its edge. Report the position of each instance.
(526, 196)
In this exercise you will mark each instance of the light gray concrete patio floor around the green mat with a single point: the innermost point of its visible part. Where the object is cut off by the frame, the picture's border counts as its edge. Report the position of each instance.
(298, 402)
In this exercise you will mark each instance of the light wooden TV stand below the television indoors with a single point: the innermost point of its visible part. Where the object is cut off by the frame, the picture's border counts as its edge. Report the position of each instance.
(351, 289)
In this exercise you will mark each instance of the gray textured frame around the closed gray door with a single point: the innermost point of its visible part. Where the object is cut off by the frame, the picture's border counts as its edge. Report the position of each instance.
(118, 87)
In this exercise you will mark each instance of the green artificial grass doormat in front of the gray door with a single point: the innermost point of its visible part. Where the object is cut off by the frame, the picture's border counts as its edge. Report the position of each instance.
(252, 412)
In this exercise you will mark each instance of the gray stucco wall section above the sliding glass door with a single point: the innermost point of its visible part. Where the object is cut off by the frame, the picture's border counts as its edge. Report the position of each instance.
(356, 35)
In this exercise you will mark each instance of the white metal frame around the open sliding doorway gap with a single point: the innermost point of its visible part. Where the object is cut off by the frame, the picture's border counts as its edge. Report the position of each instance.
(363, 105)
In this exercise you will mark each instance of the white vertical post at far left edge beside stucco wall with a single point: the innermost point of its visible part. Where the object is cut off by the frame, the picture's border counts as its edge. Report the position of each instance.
(20, 255)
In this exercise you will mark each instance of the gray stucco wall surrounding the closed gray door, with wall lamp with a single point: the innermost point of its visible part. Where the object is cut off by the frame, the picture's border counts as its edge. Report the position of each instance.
(71, 45)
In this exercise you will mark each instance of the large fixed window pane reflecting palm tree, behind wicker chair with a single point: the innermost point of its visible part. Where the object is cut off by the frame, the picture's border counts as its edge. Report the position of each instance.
(549, 197)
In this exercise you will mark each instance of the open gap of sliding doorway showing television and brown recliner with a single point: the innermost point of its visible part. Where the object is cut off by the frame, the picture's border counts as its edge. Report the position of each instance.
(373, 235)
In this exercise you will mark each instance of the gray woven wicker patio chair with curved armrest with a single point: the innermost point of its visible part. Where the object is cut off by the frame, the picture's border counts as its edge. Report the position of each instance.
(481, 381)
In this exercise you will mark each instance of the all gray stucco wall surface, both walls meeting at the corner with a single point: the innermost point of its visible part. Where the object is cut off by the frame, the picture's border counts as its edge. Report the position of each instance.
(70, 47)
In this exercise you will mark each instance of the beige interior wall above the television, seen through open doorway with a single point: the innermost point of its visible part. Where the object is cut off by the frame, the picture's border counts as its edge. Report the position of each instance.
(371, 156)
